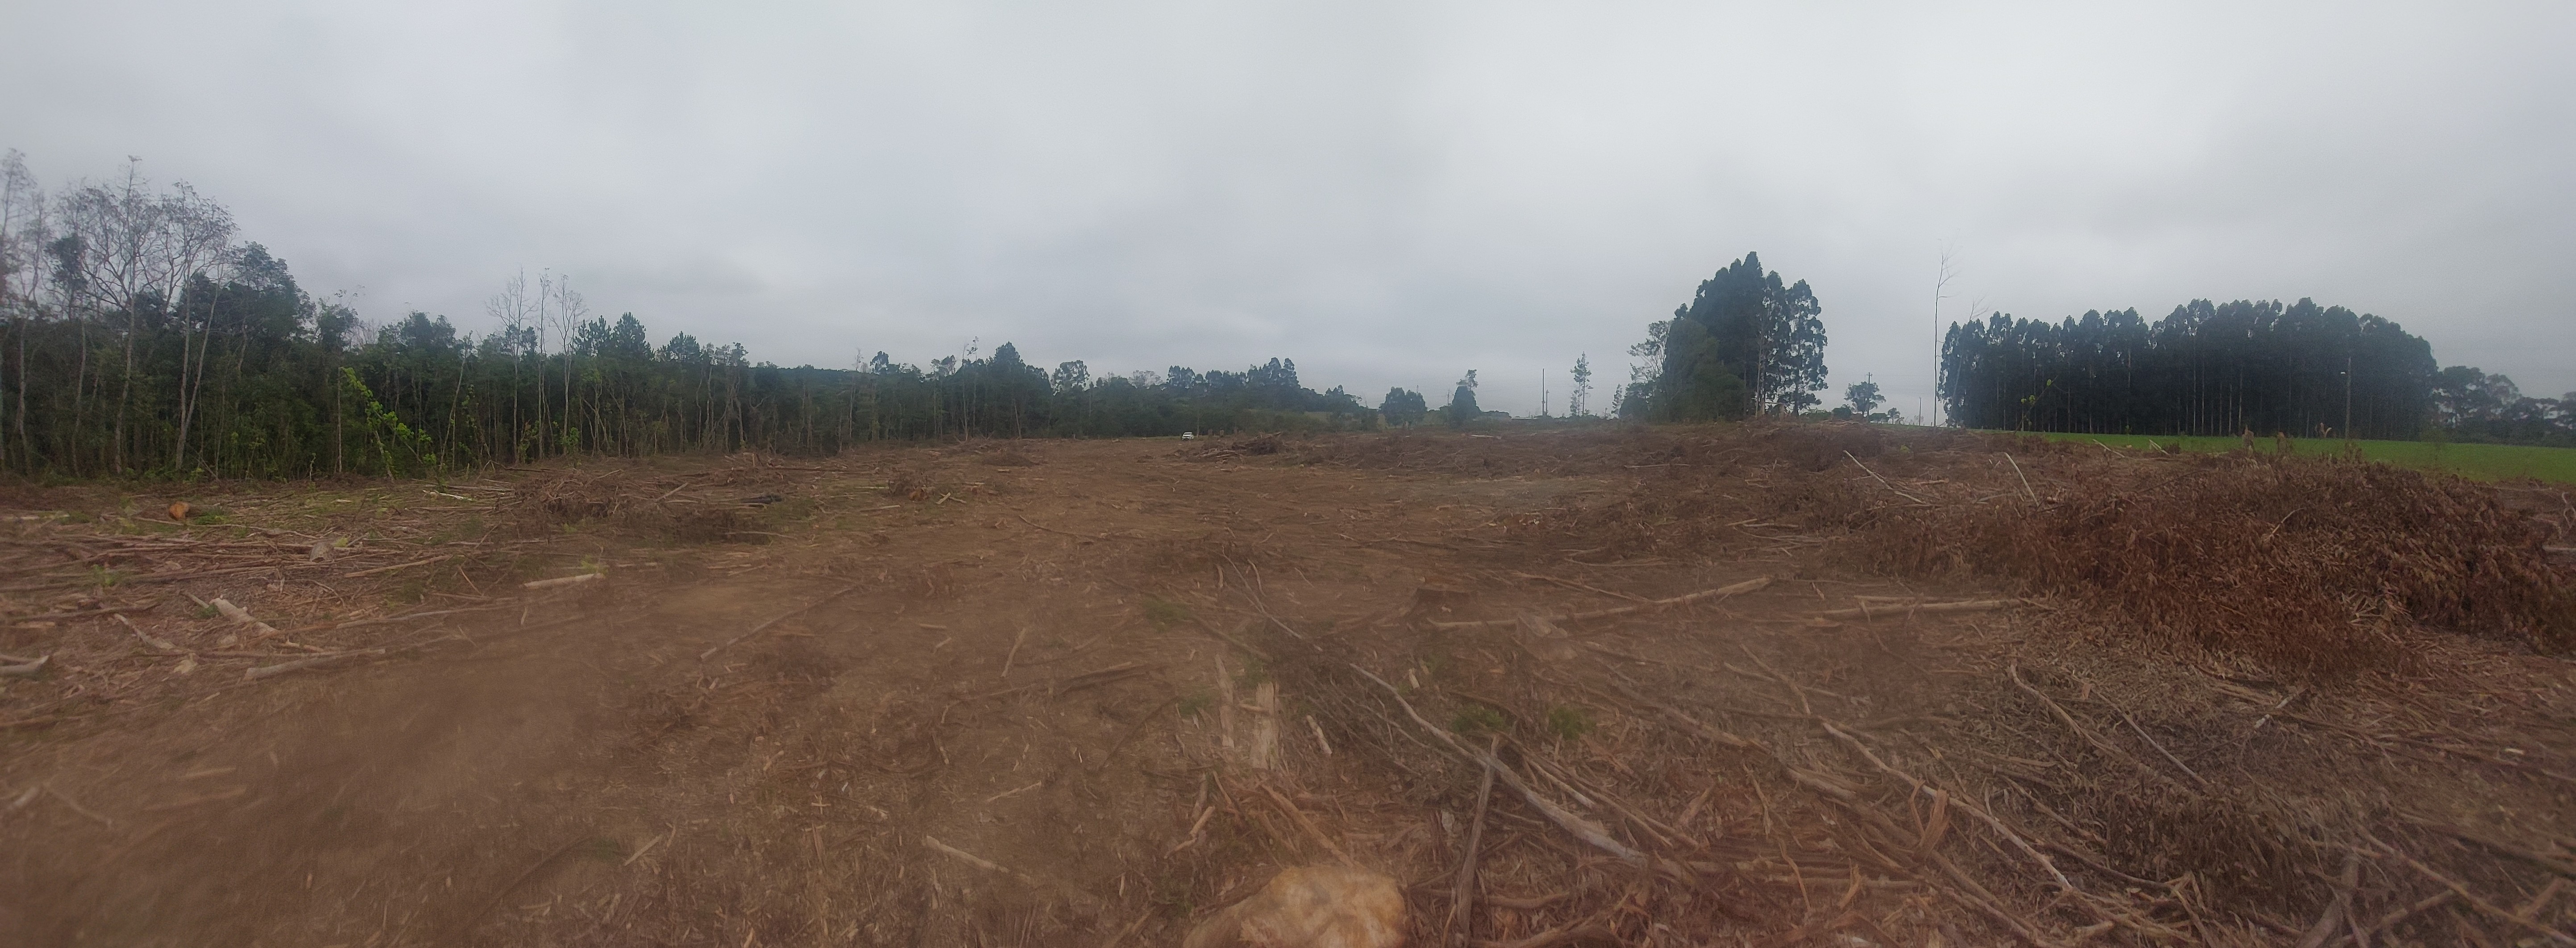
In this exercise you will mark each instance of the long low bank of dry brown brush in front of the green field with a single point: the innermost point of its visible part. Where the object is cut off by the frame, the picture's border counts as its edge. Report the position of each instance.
(2302, 565)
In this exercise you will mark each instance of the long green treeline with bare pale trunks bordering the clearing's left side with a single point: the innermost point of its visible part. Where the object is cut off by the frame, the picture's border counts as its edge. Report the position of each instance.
(143, 336)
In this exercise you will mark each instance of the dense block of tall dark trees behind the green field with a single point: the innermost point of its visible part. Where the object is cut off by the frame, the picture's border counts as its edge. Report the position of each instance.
(2222, 370)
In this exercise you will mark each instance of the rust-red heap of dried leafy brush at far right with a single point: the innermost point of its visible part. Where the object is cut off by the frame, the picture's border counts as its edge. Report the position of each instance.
(2297, 563)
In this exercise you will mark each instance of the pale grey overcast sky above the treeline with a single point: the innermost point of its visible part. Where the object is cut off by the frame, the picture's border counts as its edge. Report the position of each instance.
(1385, 192)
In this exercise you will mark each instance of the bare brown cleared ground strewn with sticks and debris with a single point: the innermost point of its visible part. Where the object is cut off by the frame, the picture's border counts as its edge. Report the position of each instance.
(1081, 694)
